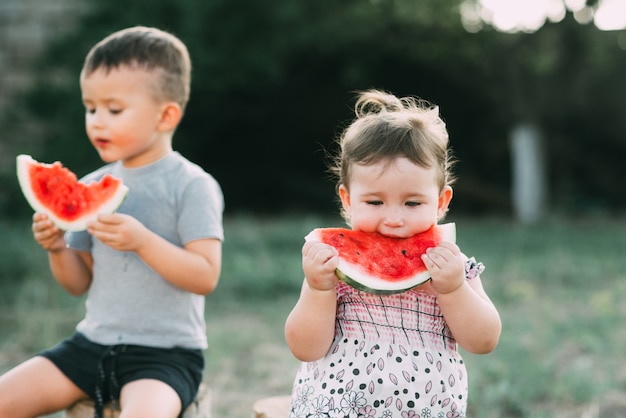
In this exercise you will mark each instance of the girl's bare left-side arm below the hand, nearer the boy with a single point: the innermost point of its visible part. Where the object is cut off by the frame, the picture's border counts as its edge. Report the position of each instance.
(310, 327)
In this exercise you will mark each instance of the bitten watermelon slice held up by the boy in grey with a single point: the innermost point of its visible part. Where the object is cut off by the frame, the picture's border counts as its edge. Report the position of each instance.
(70, 204)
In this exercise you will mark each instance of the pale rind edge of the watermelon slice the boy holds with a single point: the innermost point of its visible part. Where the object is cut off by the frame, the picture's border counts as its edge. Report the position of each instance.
(110, 206)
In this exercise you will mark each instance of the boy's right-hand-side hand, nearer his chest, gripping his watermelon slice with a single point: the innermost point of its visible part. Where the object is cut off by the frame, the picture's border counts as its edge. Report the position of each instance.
(118, 231)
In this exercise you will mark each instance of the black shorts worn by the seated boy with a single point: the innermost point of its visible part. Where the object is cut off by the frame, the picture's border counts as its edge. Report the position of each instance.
(101, 371)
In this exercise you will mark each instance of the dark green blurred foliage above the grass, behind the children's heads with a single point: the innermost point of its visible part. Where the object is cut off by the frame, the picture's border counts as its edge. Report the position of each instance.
(274, 83)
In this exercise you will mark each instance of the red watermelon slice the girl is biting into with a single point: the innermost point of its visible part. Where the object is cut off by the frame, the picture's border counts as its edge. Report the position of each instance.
(377, 264)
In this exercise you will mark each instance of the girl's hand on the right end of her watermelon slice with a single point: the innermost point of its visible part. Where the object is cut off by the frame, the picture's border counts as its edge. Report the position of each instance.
(446, 265)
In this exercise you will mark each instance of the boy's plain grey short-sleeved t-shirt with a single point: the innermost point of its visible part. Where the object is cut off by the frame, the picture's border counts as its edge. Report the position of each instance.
(128, 302)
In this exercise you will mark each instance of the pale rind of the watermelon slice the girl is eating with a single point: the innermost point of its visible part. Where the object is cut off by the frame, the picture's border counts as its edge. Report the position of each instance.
(355, 276)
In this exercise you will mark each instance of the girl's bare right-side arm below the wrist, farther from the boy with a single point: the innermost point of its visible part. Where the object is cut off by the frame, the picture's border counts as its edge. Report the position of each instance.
(472, 317)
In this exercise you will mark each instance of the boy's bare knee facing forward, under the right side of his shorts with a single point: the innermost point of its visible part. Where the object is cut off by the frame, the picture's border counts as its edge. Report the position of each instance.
(149, 398)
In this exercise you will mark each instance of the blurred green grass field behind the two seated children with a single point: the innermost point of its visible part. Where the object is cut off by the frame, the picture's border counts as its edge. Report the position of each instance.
(558, 287)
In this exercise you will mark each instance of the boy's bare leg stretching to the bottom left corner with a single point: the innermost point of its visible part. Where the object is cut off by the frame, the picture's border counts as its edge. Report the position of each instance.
(36, 387)
